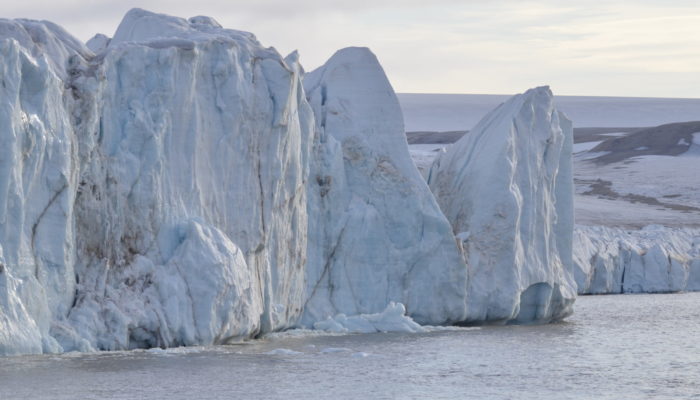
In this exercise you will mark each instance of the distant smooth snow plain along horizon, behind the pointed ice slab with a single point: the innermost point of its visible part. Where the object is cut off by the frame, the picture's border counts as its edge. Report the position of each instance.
(453, 112)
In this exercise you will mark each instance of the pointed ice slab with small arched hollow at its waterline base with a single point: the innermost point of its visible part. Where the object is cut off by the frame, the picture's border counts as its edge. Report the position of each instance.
(507, 190)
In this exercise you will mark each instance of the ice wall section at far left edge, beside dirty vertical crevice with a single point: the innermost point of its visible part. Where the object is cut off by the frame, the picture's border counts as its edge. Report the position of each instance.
(38, 174)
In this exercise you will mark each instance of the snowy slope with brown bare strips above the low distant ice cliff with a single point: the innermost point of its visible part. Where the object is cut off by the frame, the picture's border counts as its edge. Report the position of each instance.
(639, 191)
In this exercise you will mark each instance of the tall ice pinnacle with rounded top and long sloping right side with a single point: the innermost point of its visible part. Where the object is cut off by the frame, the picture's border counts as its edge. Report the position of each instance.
(376, 234)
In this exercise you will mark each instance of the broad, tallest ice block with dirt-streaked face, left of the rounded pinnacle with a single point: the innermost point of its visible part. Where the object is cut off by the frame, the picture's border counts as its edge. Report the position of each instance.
(195, 167)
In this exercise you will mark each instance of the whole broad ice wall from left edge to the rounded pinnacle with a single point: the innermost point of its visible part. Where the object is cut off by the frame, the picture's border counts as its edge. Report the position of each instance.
(153, 195)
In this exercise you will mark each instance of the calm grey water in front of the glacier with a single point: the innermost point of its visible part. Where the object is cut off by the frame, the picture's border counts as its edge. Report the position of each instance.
(614, 347)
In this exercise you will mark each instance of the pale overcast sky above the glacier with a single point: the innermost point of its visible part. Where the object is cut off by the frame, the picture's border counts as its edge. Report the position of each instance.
(648, 48)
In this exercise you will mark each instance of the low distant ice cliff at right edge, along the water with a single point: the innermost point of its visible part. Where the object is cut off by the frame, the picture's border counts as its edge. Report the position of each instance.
(651, 260)
